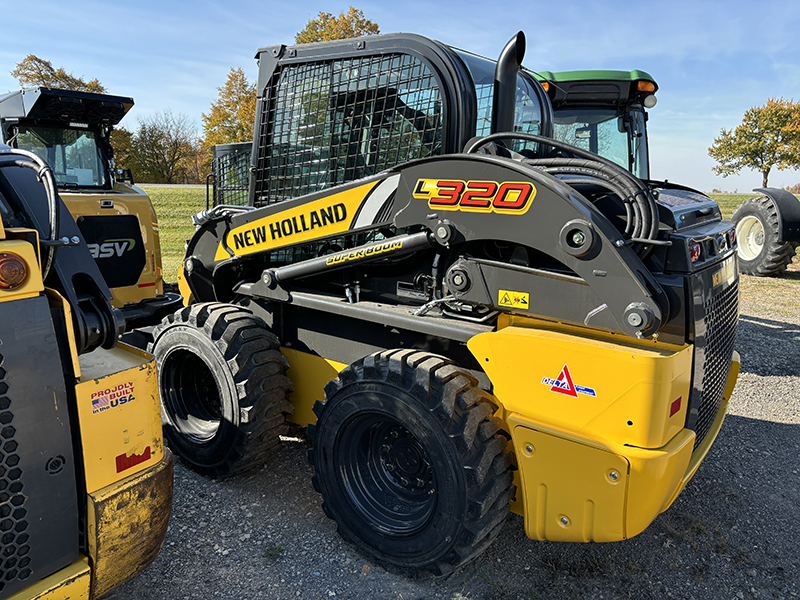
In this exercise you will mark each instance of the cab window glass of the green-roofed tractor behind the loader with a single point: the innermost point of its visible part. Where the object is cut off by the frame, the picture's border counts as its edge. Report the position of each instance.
(609, 132)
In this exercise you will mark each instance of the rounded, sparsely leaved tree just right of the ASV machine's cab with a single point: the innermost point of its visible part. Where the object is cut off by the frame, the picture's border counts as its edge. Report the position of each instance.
(164, 149)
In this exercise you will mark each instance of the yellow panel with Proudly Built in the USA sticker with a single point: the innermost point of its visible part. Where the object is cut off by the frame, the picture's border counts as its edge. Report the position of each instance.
(119, 413)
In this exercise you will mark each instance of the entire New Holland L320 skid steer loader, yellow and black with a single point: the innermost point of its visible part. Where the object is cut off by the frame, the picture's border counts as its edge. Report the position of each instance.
(468, 325)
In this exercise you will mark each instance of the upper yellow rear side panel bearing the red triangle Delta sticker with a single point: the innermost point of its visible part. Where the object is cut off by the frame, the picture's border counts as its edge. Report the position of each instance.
(616, 390)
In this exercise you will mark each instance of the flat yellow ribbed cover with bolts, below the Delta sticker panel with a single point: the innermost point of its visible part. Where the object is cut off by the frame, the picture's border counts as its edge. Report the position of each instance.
(573, 492)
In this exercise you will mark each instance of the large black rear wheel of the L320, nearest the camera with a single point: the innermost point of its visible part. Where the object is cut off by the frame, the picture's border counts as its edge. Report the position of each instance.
(410, 462)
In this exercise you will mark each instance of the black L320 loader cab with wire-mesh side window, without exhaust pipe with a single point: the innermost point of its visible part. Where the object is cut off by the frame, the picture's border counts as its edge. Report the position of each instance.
(334, 112)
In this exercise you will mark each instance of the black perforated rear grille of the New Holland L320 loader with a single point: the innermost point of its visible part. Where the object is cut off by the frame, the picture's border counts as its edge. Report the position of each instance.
(721, 312)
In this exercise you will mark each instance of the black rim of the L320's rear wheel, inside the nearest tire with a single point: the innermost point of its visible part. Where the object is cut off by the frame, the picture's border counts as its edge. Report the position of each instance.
(387, 475)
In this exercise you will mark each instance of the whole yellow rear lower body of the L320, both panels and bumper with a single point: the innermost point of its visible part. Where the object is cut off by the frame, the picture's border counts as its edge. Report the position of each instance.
(603, 460)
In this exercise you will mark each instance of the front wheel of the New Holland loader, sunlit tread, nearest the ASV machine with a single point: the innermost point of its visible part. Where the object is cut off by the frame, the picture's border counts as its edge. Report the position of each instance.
(223, 387)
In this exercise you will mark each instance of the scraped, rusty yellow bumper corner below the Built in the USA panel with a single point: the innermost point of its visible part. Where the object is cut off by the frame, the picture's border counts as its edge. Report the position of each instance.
(127, 523)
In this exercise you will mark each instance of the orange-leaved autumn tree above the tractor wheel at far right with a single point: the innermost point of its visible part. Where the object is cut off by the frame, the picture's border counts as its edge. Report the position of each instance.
(768, 137)
